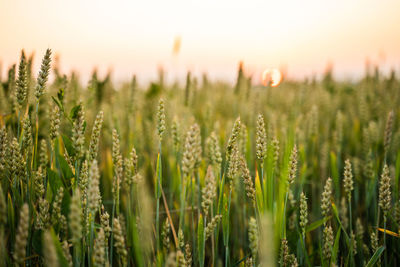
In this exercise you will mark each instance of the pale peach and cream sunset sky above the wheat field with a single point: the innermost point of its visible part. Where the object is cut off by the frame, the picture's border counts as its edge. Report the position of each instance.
(137, 36)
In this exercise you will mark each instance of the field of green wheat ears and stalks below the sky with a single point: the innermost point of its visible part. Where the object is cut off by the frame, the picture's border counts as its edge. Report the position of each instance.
(204, 174)
